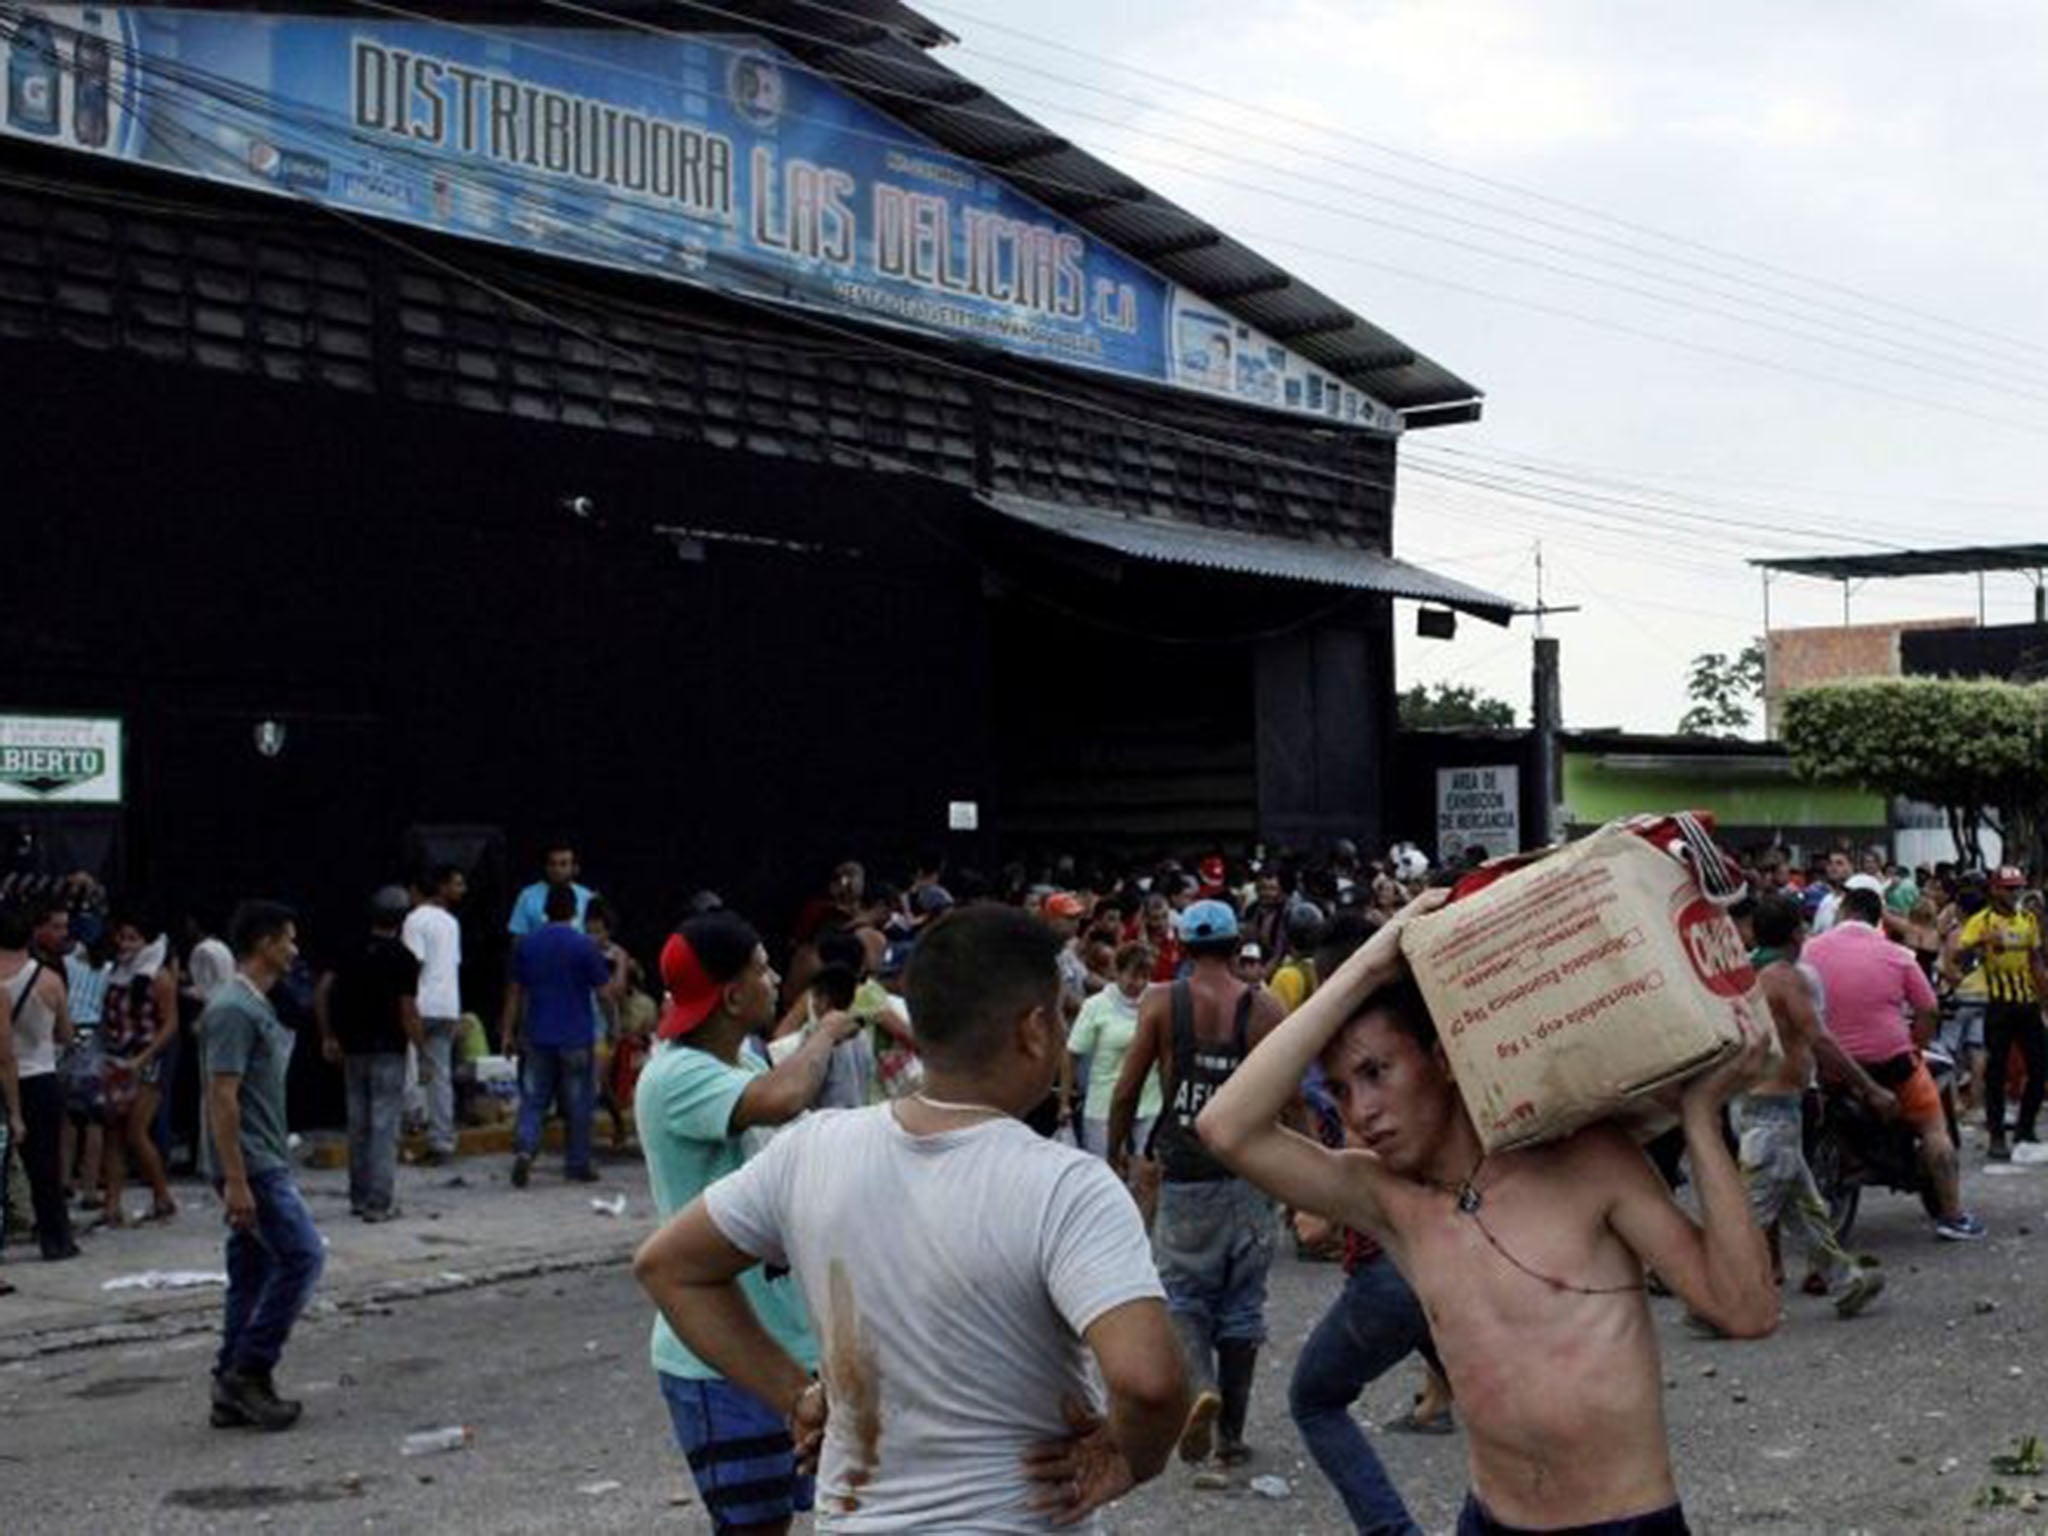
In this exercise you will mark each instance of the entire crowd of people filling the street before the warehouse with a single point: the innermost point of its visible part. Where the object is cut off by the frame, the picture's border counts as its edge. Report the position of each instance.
(1084, 1113)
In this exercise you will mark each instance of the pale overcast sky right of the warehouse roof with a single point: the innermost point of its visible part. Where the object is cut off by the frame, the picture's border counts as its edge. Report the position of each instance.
(1885, 159)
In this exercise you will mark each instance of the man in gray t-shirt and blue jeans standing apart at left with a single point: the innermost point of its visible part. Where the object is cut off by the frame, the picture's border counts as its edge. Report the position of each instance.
(273, 1248)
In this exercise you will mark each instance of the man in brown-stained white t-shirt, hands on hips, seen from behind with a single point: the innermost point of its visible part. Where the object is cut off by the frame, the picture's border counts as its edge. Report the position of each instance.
(964, 1275)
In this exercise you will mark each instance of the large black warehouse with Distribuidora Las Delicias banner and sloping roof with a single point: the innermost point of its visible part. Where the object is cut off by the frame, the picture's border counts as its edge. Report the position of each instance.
(720, 433)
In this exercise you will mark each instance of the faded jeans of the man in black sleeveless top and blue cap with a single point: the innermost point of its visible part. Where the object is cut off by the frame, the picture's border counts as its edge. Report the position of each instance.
(1213, 1244)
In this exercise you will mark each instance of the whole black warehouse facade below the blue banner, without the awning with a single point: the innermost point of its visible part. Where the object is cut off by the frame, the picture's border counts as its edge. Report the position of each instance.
(269, 470)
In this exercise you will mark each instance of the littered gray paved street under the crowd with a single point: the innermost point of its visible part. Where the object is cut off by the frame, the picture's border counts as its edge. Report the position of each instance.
(1824, 1428)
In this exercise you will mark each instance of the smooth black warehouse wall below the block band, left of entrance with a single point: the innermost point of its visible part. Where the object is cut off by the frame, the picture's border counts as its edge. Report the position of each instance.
(445, 644)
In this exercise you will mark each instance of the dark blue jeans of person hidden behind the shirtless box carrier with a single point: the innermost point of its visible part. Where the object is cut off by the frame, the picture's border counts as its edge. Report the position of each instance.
(1371, 1328)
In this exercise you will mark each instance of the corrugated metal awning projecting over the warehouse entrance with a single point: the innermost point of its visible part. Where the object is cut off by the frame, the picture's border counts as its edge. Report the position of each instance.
(1248, 554)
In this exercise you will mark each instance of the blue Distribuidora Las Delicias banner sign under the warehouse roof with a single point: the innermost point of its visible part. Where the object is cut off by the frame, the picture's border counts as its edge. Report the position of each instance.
(701, 159)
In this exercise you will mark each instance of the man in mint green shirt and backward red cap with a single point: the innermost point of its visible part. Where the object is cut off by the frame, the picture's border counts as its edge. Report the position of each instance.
(703, 1107)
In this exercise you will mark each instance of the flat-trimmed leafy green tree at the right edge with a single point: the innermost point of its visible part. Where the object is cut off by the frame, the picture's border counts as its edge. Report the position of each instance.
(1979, 751)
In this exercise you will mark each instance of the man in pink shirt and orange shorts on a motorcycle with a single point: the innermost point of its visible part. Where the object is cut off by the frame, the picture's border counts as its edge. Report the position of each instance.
(1881, 1011)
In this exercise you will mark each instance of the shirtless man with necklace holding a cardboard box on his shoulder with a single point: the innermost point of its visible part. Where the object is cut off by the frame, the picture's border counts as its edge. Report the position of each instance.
(1529, 1263)
